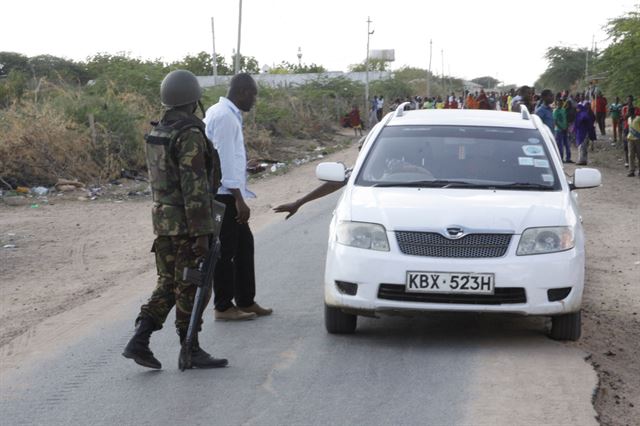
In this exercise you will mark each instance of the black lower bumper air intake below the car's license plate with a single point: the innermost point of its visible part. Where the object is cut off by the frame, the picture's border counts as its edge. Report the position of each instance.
(501, 296)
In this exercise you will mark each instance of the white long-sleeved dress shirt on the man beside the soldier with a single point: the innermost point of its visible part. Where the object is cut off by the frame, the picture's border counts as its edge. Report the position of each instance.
(223, 123)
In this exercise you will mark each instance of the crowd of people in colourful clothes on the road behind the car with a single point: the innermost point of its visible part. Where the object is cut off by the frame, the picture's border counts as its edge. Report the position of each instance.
(572, 118)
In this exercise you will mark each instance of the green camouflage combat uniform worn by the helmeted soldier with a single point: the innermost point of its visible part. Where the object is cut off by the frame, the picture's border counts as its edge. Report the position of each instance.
(183, 183)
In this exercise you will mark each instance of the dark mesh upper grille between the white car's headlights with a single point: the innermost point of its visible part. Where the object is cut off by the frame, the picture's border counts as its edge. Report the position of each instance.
(432, 244)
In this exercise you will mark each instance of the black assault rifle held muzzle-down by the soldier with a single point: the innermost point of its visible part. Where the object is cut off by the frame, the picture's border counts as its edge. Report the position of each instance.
(202, 277)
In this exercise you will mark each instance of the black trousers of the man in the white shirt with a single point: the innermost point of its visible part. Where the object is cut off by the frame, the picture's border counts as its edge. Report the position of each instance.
(234, 276)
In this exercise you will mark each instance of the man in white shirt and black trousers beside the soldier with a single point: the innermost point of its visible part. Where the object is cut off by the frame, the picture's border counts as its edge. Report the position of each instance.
(234, 275)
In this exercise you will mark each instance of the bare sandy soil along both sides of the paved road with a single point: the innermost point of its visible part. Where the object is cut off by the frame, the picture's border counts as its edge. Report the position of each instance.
(73, 250)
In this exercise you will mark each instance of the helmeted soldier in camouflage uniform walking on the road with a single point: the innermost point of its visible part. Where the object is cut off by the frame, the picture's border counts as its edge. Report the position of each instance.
(182, 164)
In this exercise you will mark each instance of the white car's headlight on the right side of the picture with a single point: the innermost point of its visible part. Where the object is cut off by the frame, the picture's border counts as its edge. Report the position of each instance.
(546, 240)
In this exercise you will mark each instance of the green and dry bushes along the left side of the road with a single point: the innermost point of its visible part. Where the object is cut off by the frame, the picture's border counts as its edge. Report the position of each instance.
(85, 120)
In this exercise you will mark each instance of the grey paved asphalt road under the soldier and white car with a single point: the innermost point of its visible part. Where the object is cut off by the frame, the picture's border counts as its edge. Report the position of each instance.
(440, 369)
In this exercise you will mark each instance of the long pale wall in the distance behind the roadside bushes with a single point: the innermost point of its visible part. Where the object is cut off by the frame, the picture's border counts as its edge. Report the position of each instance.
(285, 80)
